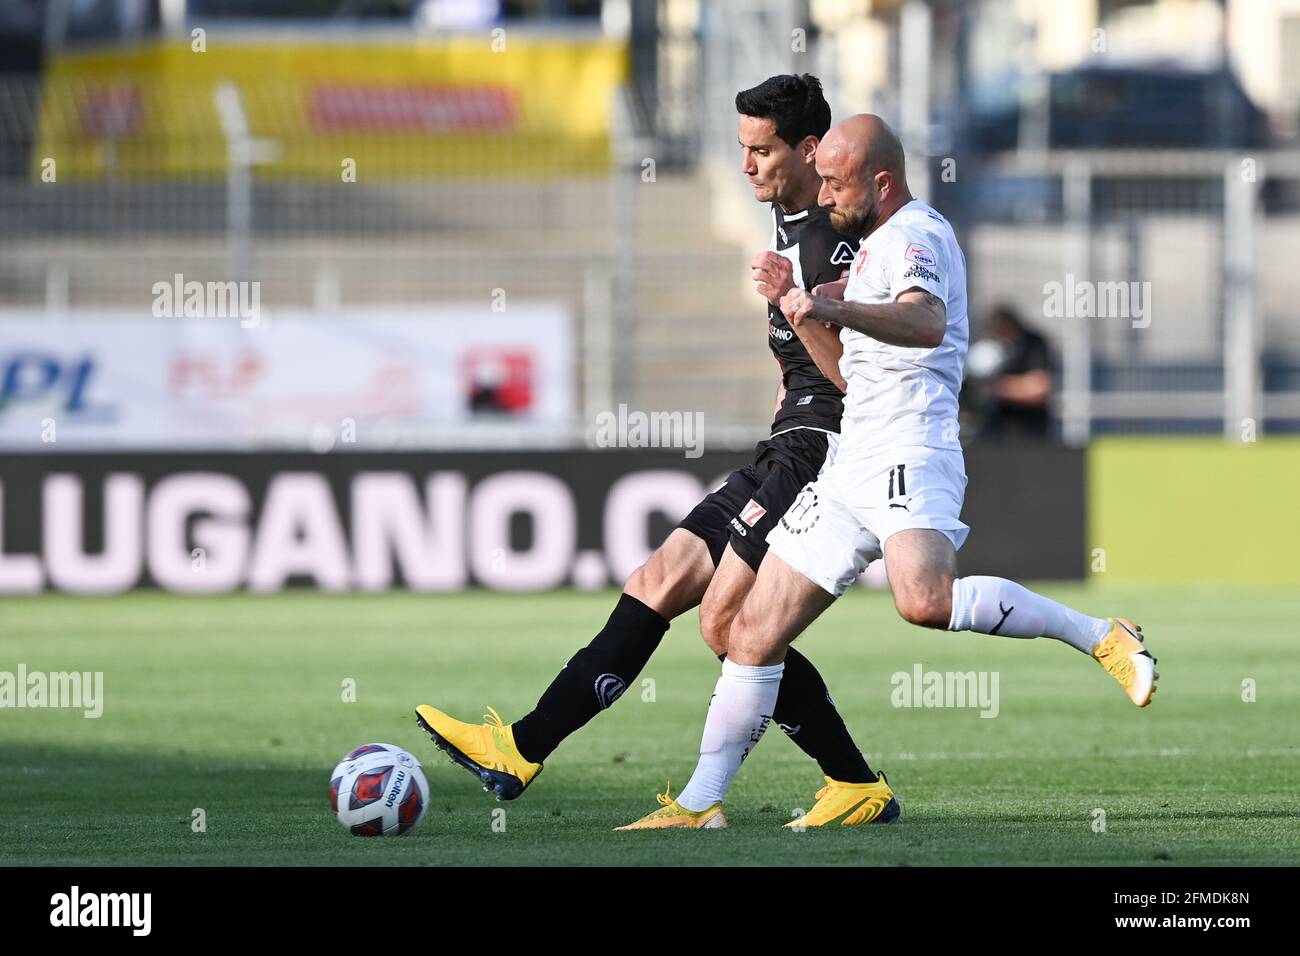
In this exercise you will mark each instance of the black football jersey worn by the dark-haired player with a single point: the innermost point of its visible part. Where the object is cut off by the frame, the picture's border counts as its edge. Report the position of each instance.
(820, 256)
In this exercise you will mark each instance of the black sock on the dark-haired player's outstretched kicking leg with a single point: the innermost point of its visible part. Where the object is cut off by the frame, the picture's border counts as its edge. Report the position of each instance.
(593, 678)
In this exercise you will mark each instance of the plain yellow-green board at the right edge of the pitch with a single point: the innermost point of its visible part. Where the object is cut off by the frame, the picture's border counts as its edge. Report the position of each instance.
(1194, 511)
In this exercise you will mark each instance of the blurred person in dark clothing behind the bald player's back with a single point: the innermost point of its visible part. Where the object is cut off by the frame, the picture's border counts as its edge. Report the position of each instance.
(1009, 386)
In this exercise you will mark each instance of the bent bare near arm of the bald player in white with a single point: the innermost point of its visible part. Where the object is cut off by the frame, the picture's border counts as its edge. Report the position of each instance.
(915, 321)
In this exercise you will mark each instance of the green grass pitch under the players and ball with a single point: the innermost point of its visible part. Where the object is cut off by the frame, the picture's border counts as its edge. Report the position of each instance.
(233, 706)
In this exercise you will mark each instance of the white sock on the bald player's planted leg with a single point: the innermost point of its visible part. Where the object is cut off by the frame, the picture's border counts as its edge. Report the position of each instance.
(739, 713)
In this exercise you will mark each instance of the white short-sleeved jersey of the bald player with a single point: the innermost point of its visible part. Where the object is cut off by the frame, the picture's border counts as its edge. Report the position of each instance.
(905, 397)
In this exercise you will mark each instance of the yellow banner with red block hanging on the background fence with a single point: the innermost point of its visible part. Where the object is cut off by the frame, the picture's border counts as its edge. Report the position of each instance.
(449, 107)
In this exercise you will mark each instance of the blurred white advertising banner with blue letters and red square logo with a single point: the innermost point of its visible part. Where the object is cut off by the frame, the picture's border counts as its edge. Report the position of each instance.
(369, 377)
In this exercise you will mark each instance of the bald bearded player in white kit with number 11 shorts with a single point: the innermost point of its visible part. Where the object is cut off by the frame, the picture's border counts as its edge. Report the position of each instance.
(895, 488)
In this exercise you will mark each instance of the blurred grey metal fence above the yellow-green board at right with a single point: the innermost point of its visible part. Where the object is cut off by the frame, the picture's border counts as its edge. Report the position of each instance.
(1159, 279)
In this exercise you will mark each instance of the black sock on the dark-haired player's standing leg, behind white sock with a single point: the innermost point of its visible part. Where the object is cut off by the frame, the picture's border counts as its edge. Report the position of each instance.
(805, 712)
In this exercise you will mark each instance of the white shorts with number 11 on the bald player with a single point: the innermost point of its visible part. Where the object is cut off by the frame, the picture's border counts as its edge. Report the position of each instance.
(843, 521)
